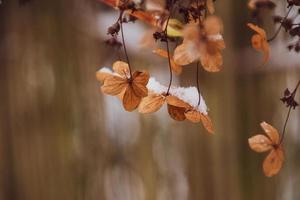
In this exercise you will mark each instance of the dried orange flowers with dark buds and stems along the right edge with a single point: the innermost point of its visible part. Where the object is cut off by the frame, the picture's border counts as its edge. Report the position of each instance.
(273, 142)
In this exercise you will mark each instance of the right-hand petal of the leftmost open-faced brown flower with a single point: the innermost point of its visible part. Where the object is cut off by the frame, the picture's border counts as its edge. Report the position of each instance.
(139, 83)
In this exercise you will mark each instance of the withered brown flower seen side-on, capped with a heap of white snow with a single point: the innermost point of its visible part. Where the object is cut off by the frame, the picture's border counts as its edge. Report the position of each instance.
(180, 101)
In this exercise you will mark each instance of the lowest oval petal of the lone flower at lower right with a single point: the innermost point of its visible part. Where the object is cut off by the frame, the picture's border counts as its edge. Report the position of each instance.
(273, 162)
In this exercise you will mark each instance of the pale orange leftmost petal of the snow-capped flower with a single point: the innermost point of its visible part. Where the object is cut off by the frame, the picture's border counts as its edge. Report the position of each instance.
(151, 103)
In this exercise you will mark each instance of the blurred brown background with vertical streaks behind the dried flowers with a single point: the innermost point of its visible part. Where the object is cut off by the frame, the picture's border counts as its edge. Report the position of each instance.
(61, 139)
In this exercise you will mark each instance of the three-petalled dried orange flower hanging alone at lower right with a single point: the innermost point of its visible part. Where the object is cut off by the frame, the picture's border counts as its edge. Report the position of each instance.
(261, 143)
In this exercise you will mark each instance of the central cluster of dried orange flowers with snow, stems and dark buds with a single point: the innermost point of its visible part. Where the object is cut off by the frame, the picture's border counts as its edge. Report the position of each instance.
(198, 36)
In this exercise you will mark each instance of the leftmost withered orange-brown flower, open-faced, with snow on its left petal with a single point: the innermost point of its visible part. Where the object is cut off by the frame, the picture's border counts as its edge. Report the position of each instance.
(130, 89)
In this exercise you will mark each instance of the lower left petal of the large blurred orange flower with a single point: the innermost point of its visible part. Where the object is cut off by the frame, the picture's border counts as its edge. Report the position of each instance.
(186, 53)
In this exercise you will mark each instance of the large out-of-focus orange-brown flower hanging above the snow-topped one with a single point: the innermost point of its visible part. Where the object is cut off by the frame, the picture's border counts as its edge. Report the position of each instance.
(203, 43)
